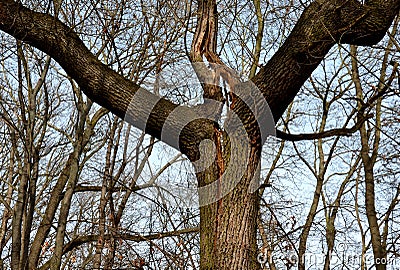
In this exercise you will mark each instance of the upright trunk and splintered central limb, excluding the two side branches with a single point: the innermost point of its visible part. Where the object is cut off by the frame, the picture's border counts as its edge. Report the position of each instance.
(228, 211)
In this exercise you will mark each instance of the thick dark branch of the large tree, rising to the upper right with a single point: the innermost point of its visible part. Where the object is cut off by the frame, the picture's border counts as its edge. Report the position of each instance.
(322, 25)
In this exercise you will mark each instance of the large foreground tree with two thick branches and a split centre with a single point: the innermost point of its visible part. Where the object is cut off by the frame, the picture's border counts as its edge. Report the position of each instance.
(227, 219)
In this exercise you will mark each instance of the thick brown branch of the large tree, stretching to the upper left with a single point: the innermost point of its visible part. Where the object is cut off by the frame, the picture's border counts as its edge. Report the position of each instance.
(99, 82)
